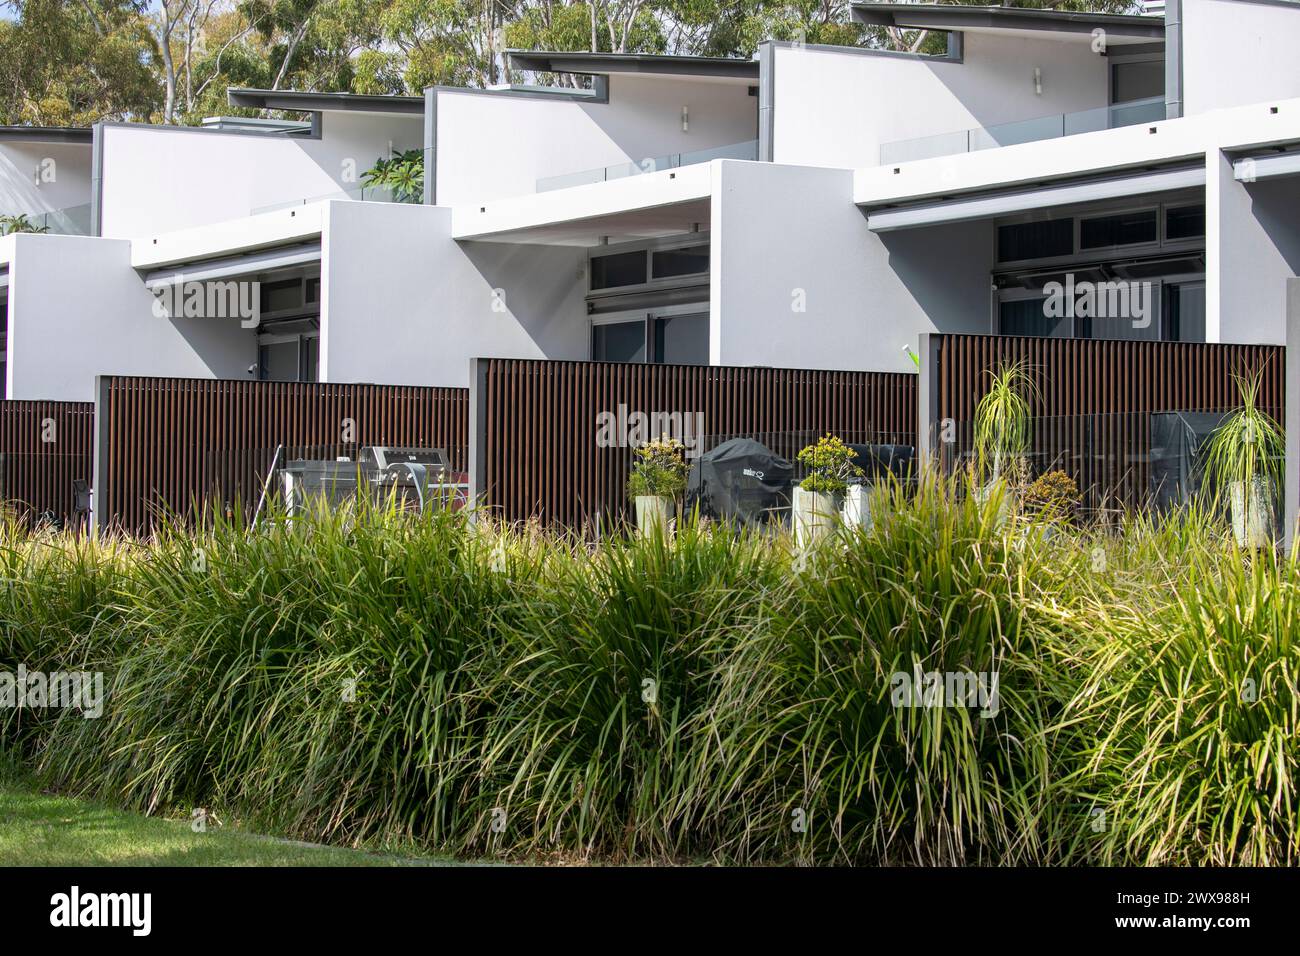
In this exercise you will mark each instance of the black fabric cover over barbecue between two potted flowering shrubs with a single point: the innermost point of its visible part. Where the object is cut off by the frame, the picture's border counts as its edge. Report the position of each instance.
(740, 482)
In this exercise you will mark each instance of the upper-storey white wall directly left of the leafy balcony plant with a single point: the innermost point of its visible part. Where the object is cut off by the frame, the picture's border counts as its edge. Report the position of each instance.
(159, 179)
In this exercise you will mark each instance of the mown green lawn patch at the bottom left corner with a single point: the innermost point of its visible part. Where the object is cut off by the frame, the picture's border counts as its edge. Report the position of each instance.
(44, 830)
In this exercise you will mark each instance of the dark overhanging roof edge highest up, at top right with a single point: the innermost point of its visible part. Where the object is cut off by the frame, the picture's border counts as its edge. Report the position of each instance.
(996, 18)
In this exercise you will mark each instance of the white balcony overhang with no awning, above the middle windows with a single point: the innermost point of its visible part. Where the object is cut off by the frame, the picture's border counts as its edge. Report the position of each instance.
(638, 207)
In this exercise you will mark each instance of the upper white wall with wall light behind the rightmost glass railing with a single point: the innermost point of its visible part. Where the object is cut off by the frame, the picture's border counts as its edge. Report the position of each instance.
(837, 109)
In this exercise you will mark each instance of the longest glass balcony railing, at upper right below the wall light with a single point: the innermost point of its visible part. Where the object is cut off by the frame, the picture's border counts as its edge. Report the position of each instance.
(1024, 132)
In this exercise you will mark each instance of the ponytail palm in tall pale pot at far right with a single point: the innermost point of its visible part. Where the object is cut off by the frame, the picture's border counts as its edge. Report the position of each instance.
(1243, 460)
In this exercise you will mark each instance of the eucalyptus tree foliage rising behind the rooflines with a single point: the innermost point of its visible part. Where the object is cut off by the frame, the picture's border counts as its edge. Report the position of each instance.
(79, 62)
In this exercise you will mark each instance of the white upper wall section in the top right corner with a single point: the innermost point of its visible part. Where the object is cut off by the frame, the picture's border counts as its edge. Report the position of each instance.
(1238, 53)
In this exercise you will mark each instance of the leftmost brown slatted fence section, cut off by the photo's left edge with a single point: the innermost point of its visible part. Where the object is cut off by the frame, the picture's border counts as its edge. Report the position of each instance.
(45, 447)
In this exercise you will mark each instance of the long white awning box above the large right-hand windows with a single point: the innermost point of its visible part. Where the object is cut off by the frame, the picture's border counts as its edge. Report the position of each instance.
(1009, 204)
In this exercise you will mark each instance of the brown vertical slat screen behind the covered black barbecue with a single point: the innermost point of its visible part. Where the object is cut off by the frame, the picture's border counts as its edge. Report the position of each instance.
(539, 426)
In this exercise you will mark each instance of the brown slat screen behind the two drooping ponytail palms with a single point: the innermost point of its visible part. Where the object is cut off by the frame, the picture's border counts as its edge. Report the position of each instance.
(1095, 399)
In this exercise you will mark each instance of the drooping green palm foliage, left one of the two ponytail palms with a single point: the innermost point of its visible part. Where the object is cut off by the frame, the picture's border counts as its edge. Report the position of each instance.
(1003, 436)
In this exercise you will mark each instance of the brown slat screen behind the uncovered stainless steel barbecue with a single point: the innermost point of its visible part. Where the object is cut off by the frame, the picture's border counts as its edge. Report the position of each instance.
(170, 443)
